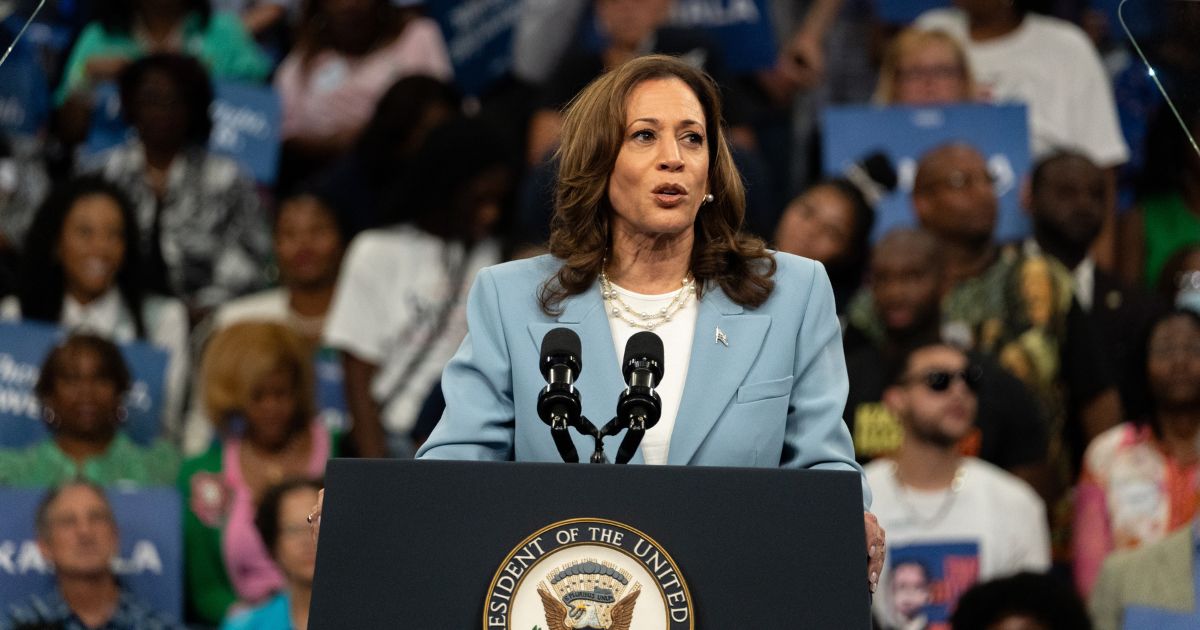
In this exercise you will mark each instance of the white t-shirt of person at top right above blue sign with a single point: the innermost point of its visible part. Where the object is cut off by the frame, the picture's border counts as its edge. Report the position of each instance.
(1052, 67)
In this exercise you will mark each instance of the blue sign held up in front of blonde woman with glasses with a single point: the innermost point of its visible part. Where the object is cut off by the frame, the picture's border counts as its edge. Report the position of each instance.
(905, 134)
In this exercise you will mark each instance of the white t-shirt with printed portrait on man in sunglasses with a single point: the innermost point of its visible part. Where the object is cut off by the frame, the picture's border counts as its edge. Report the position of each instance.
(995, 526)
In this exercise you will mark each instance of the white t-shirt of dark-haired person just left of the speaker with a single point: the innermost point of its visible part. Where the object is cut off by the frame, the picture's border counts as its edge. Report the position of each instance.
(391, 302)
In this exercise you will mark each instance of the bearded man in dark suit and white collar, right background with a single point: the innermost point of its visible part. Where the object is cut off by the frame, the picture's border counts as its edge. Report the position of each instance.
(1069, 201)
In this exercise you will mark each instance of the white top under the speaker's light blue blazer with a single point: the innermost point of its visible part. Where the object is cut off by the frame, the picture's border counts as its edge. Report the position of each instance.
(677, 338)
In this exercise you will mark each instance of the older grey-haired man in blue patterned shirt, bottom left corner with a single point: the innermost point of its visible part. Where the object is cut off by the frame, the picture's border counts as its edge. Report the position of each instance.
(77, 536)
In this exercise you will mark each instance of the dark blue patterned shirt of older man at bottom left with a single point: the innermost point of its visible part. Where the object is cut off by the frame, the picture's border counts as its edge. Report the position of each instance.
(51, 611)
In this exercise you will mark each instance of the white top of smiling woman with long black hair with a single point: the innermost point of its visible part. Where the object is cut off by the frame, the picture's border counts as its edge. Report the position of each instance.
(166, 322)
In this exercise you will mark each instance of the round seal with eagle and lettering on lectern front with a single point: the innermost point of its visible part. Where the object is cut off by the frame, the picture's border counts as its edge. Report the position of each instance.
(589, 574)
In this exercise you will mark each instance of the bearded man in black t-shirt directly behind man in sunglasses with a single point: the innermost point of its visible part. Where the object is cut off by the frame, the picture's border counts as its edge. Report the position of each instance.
(905, 283)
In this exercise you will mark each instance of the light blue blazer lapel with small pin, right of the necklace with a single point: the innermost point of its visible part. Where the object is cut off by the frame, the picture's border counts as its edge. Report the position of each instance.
(716, 370)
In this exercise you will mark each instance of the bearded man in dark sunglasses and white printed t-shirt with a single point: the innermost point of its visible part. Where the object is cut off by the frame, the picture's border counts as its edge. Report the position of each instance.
(965, 520)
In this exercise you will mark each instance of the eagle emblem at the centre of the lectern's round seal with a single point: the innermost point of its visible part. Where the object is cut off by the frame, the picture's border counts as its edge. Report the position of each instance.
(587, 596)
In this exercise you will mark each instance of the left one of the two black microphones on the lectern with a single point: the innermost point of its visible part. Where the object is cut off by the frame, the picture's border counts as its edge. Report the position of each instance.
(559, 405)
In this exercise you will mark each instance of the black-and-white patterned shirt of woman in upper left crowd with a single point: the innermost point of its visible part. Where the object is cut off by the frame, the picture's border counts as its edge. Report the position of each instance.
(213, 241)
